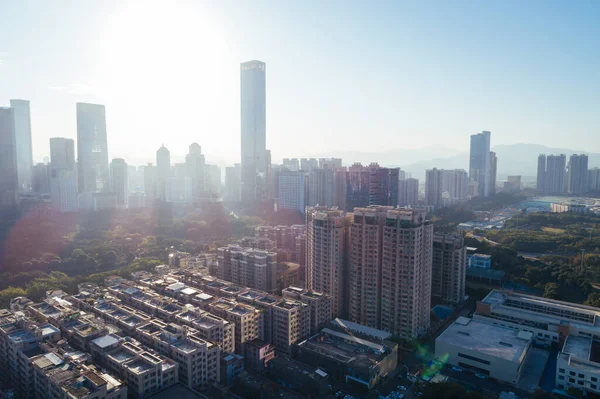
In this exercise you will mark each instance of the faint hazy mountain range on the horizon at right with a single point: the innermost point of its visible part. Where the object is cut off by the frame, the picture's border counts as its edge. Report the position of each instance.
(513, 159)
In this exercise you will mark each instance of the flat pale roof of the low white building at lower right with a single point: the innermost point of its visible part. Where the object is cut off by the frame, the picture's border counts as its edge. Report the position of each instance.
(500, 342)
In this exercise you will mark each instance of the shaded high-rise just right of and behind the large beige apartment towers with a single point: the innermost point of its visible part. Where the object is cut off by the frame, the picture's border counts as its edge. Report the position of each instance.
(449, 268)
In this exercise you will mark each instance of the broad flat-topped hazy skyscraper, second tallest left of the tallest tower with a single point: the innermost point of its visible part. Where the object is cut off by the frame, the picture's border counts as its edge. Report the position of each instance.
(92, 148)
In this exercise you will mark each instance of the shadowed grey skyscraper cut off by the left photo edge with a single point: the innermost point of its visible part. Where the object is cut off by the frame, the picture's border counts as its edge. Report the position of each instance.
(9, 181)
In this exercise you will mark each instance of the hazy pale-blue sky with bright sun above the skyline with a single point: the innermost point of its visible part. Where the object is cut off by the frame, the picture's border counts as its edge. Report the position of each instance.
(341, 75)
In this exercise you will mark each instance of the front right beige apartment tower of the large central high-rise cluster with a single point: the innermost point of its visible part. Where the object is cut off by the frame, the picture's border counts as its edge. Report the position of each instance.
(406, 273)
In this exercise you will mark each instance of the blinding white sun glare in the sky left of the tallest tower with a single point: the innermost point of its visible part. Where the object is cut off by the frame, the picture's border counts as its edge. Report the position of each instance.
(173, 58)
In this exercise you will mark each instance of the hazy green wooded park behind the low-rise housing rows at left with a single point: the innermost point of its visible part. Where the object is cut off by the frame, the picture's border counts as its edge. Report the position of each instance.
(45, 250)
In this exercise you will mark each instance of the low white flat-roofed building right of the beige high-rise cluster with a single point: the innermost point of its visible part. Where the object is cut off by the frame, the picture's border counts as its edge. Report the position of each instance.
(498, 352)
